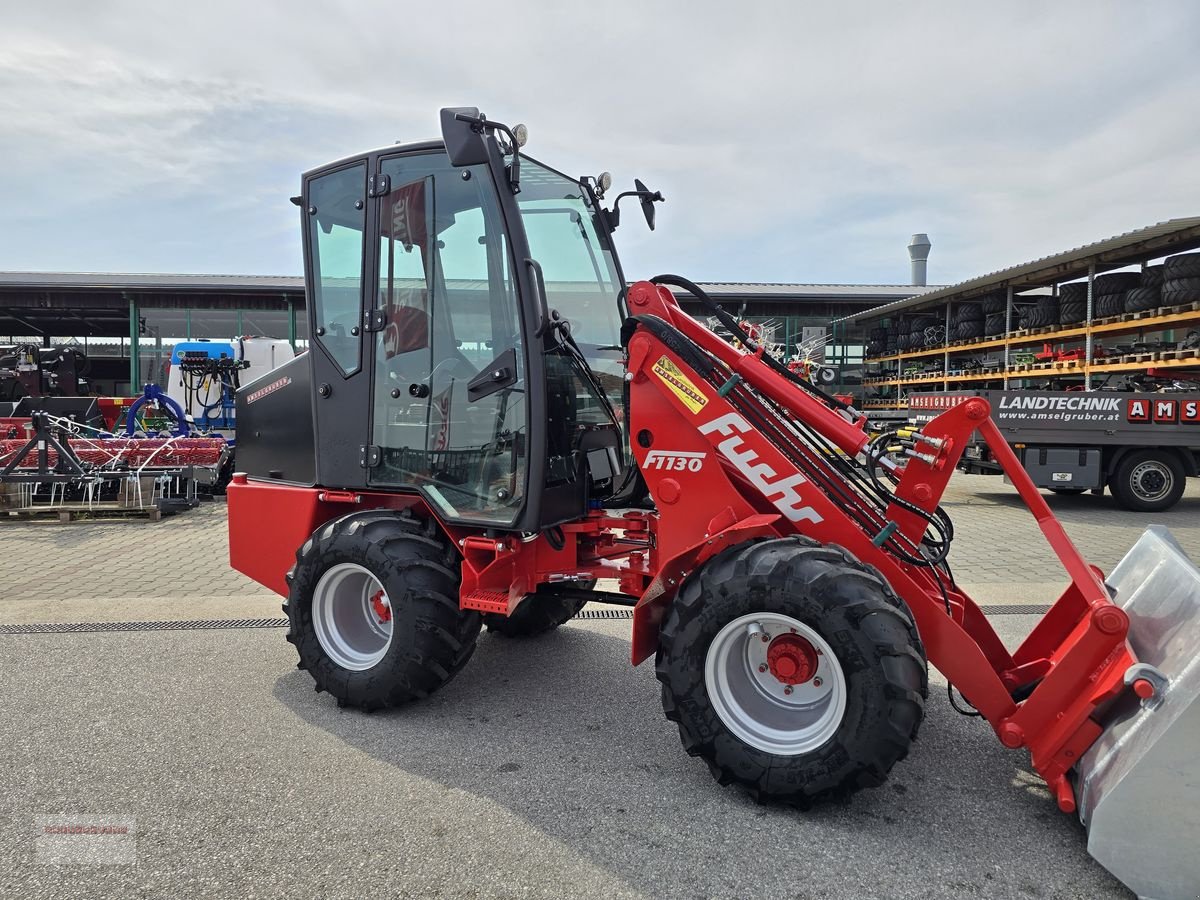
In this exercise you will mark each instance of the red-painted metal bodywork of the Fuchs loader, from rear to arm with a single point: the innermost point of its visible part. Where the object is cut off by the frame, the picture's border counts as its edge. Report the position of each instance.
(717, 482)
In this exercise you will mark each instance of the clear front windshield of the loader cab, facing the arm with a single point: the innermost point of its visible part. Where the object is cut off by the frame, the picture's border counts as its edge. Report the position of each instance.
(581, 274)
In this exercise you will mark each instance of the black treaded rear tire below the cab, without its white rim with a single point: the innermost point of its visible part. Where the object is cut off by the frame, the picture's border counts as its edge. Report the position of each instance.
(433, 638)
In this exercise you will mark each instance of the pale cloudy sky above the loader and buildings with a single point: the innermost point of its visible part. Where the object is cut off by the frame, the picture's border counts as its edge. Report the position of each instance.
(794, 141)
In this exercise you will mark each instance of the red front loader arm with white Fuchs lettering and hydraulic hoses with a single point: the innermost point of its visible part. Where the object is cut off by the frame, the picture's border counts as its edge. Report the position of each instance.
(776, 454)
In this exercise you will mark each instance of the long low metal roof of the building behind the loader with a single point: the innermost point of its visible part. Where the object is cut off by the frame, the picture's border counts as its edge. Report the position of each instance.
(292, 284)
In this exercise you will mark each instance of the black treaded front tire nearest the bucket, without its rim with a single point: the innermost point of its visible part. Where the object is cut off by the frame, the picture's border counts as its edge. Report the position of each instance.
(853, 607)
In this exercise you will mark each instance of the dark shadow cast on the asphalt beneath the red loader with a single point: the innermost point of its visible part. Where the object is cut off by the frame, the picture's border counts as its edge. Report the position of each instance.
(566, 735)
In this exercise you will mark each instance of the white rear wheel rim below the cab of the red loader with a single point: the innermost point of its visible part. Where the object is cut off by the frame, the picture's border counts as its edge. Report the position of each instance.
(346, 619)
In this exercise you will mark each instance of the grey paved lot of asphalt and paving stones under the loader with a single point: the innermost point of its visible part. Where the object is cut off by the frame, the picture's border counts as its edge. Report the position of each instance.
(547, 770)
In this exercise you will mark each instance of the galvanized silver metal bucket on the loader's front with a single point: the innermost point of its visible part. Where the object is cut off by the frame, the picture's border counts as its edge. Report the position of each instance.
(1138, 787)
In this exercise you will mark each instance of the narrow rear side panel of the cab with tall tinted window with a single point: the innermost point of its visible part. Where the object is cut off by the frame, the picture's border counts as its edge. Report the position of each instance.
(335, 212)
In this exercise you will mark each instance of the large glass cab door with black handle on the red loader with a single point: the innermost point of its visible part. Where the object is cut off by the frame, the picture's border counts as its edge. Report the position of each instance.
(449, 393)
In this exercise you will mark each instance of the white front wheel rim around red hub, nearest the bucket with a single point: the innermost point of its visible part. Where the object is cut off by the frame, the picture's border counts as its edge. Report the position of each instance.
(755, 705)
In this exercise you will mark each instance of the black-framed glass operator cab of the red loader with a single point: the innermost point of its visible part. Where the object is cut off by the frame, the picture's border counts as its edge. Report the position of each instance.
(440, 362)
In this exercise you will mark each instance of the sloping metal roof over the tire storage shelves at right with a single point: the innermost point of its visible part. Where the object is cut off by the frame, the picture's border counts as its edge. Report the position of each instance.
(1175, 236)
